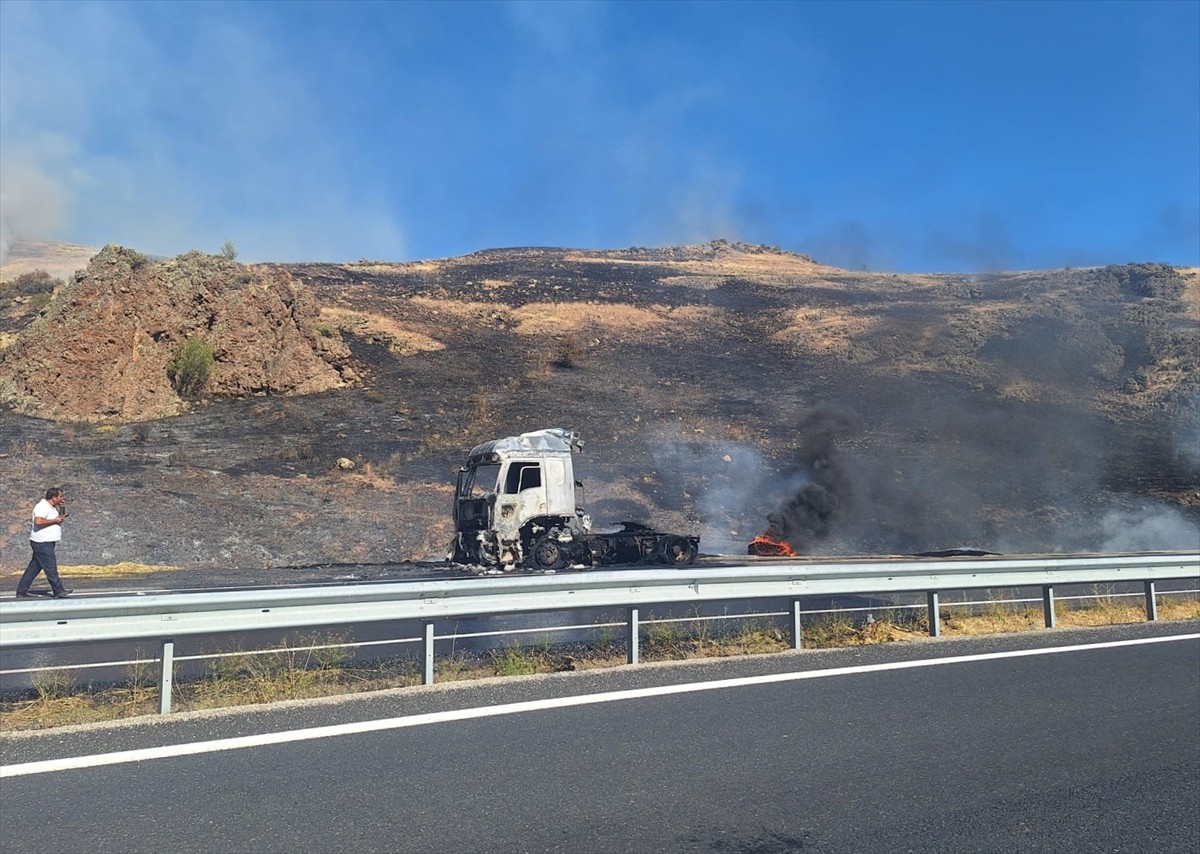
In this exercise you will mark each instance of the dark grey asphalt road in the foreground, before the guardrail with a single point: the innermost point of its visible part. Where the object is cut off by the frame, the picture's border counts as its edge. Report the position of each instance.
(854, 750)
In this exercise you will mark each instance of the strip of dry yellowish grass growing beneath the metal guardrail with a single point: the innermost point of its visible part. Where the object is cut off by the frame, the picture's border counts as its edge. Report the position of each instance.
(319, 666)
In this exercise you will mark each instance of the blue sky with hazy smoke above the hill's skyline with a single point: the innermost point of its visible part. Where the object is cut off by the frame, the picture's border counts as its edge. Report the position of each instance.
(893, 136)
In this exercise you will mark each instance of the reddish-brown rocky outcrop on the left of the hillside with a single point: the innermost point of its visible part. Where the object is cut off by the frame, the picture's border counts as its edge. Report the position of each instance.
(100, 351)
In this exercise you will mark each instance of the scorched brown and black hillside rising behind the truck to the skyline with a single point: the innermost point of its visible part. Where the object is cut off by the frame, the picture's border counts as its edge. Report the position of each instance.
(718, 388)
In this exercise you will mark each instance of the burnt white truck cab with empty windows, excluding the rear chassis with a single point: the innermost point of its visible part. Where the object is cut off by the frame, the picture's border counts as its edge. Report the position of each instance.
(515, 498)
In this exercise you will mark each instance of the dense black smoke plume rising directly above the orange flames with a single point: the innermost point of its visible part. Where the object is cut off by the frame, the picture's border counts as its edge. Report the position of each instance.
(824, 491)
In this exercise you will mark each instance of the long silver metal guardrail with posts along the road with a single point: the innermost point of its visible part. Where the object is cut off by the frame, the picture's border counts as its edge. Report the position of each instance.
(166, 617)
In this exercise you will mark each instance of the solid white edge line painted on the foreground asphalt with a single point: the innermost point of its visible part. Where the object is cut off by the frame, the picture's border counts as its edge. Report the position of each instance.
(169, 751)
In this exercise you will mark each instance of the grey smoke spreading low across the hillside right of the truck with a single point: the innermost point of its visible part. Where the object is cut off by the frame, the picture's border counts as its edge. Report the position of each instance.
(965, 478)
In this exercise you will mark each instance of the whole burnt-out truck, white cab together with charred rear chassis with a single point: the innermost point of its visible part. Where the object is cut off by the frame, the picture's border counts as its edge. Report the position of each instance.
(515, 508)
